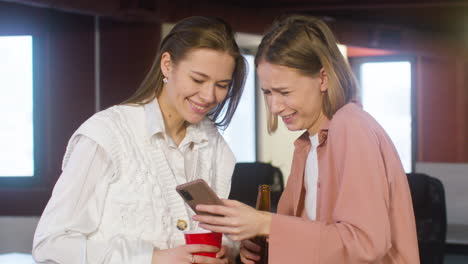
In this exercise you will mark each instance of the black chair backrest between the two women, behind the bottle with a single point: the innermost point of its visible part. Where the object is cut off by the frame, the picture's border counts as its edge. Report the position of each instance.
(248, 176)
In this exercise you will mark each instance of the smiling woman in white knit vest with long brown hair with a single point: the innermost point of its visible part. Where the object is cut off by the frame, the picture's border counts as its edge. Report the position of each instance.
(115, 201)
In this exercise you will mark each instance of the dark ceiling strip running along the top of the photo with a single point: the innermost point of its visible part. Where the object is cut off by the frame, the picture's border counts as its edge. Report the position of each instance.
(440, 17)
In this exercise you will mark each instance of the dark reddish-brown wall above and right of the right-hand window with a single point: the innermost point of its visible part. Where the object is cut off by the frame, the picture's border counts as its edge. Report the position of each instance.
(441, 85)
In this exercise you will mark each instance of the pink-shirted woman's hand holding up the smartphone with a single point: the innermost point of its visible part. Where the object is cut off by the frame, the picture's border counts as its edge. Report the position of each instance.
(240, 221)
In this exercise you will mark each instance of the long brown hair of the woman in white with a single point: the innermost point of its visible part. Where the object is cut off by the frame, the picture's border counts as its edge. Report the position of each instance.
(196, 33)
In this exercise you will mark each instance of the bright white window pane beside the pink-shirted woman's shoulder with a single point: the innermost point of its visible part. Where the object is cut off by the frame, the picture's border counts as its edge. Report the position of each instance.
(386, 95)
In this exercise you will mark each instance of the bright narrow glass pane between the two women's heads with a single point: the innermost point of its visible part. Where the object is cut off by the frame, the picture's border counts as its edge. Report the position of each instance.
(240, 135)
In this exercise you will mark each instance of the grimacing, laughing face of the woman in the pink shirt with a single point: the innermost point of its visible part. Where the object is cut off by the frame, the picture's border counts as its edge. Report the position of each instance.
(293, 96)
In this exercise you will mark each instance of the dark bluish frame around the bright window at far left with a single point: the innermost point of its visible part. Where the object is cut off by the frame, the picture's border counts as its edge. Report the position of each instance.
(27, 195)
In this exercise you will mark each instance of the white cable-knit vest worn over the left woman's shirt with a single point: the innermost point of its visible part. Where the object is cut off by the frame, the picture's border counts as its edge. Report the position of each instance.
(150, 206)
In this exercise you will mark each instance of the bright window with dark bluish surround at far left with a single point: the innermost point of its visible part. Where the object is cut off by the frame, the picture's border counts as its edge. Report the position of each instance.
(24, 183)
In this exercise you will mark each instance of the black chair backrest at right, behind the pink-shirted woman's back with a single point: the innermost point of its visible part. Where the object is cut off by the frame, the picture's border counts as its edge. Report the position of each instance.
(428, 197)
